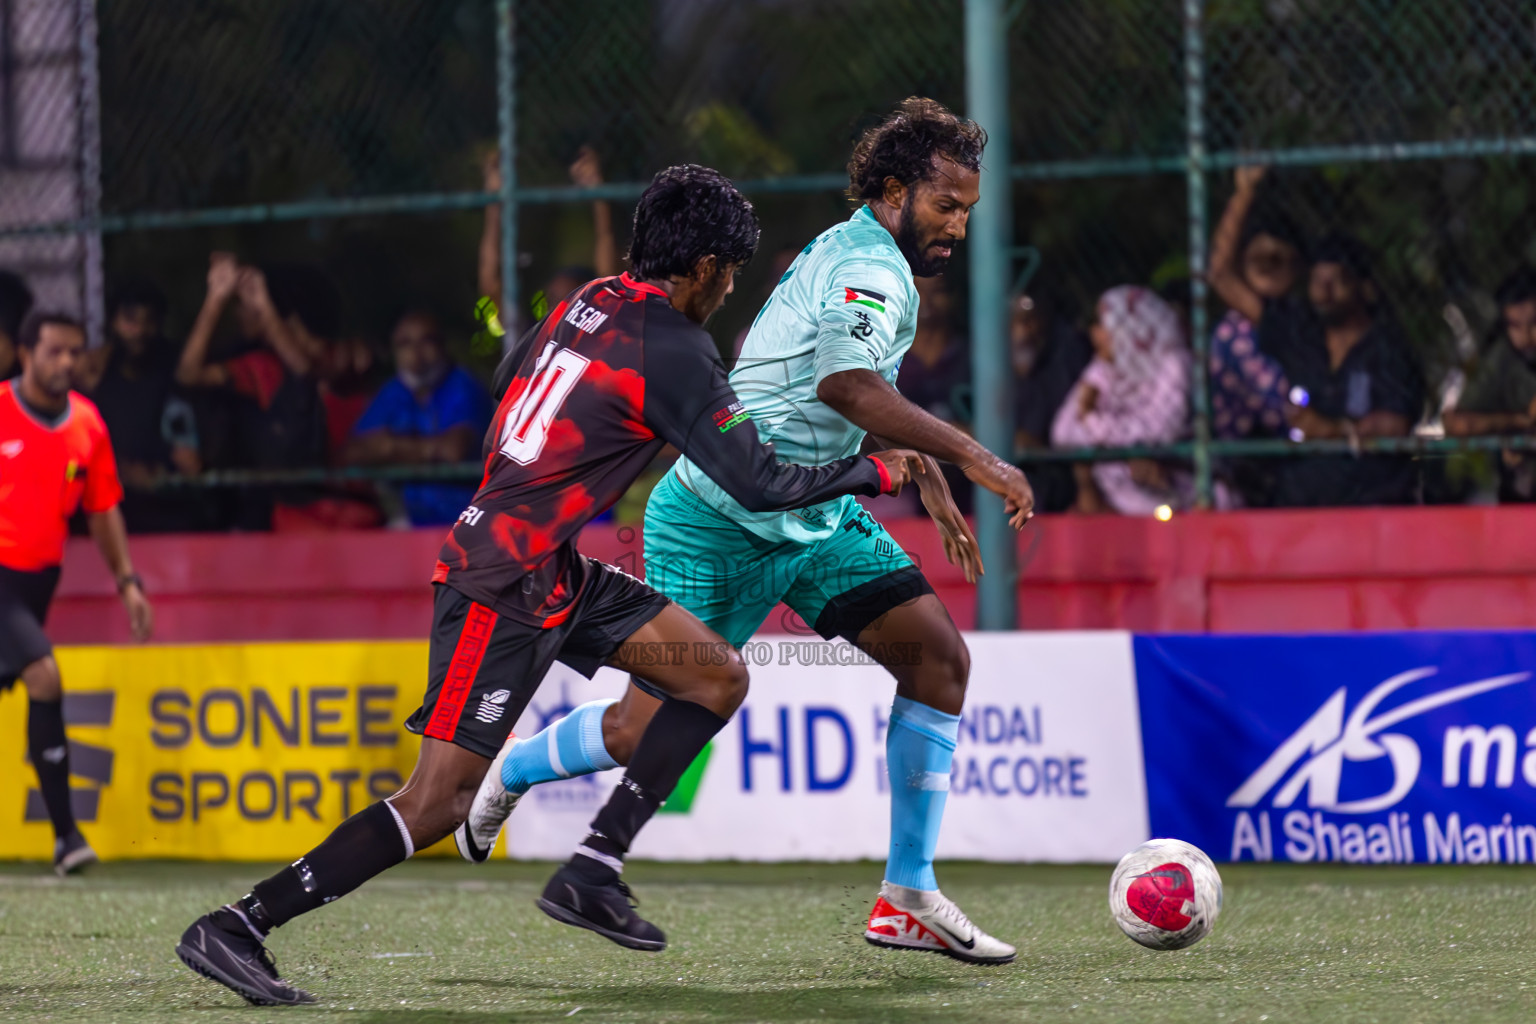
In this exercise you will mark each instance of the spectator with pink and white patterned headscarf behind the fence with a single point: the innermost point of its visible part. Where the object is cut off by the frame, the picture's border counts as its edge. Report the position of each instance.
(1136, 391)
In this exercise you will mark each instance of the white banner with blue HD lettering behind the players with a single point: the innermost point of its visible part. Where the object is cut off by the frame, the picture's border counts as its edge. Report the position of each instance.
(1048, 767)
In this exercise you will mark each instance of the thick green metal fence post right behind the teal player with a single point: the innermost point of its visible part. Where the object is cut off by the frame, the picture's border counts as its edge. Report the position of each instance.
(990, 242)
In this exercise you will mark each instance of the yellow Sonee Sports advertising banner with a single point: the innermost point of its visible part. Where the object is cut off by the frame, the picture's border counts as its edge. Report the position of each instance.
(243, 751)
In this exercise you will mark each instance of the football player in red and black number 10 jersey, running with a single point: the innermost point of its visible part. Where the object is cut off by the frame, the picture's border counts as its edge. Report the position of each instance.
(620, 369)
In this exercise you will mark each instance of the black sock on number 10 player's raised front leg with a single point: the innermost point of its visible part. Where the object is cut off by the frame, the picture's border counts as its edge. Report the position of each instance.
(677, 735)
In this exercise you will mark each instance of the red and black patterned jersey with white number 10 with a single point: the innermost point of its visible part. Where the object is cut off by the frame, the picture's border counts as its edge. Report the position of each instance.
(594, 392)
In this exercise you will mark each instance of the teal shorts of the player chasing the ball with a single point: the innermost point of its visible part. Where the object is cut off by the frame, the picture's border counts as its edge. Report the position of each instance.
(732, 580)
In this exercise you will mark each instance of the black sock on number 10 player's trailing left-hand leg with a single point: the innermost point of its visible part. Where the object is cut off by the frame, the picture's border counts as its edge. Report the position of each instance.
(365, 845)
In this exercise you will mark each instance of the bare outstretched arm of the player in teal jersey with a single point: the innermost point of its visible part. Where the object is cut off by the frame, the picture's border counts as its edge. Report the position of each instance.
(869, 401)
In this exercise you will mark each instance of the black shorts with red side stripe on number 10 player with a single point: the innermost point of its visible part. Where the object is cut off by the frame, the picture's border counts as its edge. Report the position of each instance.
(485, 667)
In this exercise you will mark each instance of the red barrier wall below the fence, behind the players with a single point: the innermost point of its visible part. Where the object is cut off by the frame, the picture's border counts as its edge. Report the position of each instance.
(1257, 572)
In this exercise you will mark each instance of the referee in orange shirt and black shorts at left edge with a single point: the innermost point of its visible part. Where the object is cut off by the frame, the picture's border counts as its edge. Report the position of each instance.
(55, 458)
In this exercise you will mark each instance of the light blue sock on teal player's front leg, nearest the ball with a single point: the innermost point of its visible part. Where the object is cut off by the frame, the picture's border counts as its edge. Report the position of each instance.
(919, 748)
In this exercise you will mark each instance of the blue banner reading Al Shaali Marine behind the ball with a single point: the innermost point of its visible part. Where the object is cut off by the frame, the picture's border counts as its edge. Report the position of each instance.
(1363, 748)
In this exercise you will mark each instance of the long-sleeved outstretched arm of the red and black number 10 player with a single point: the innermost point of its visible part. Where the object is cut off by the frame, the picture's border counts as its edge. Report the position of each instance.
(690, 403)
